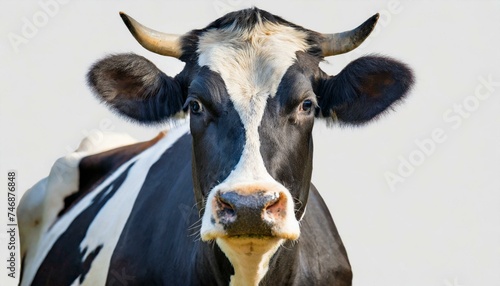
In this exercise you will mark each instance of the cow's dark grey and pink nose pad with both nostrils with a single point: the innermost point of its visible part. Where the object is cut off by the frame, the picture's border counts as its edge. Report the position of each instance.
(254, 214)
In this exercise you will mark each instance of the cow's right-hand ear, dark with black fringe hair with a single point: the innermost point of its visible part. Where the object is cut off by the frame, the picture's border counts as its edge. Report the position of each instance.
(364, 89)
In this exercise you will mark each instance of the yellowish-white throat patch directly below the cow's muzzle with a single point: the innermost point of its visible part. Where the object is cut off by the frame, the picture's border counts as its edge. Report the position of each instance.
(249, 257)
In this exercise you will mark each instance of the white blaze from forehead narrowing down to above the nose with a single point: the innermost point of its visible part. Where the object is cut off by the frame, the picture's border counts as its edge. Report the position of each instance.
(252, 63)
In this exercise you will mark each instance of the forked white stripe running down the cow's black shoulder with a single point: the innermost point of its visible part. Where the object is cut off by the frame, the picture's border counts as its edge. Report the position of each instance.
(107, 226)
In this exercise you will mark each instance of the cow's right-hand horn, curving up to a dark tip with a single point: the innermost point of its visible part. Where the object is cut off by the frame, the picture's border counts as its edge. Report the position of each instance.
(344, 42)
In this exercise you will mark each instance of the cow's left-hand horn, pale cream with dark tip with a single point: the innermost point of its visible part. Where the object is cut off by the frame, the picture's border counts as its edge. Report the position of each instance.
(156, 42)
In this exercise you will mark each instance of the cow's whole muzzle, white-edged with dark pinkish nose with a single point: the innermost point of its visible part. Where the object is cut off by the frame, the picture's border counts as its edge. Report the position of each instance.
(251, 211)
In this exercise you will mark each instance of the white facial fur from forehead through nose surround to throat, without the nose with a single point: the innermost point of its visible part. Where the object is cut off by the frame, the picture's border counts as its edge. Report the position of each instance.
(252, 64)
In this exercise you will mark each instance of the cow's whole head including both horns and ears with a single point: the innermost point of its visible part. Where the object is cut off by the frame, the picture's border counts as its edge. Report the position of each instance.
(252, 88)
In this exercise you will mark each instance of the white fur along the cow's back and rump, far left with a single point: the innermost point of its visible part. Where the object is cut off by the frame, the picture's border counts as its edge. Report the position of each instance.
(41, 204)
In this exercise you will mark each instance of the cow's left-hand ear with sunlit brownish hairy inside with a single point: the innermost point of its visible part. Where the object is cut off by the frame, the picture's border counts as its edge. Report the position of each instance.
(136, 88)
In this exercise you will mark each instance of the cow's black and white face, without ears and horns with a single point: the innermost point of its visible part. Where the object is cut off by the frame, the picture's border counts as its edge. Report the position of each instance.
(252, 131)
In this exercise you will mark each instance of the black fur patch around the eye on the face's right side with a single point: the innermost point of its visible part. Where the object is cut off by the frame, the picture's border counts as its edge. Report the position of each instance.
(286, 131)
